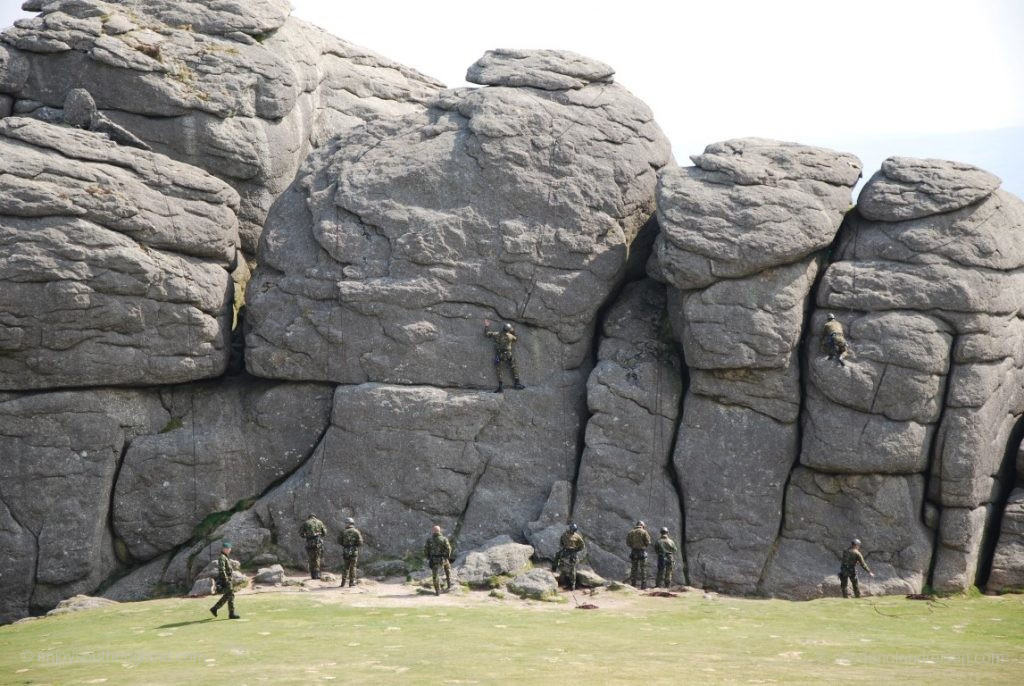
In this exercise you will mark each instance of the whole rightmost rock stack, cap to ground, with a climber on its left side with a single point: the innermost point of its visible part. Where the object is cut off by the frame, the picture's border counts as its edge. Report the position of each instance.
(911, 438)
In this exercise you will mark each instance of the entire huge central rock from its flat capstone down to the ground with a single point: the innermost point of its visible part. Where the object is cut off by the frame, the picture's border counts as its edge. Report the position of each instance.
(517, 203)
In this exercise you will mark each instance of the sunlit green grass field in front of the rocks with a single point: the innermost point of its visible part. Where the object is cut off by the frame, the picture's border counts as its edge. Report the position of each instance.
(319, 637)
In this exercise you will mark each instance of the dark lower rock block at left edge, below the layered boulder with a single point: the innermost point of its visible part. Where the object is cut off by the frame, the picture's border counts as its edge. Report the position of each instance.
(59, 457)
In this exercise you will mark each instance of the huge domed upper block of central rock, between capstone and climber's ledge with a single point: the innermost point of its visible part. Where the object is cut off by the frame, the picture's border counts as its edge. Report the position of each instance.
(381, 262)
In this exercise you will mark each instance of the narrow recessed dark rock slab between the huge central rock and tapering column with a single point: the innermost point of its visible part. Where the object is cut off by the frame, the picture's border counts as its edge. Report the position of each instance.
(626, 473)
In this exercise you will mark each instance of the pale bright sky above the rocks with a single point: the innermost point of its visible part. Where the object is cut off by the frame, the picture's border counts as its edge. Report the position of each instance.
(933, 78)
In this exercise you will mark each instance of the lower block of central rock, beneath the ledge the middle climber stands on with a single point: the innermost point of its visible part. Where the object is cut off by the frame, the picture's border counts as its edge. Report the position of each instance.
(402, 459)
